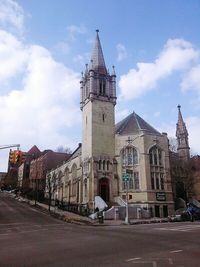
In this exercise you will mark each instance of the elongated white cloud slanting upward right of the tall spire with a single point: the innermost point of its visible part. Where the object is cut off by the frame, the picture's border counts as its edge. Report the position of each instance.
(176, 55)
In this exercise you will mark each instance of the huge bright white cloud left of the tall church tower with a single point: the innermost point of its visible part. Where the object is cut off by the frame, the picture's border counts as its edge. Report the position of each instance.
(44, 107)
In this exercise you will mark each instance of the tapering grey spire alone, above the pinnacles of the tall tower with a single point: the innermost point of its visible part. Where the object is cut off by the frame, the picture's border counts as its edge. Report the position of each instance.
(97, 57)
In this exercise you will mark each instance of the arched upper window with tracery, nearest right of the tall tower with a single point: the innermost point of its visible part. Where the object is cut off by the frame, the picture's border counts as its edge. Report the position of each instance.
(129, 156)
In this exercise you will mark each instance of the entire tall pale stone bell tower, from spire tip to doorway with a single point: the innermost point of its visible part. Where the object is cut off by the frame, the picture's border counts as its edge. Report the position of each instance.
(98, 99)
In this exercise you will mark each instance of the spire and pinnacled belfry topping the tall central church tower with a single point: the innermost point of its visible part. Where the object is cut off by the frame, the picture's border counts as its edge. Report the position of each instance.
(97, 83)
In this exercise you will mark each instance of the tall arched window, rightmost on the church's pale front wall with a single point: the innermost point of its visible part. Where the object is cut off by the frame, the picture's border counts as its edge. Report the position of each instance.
(157, 168)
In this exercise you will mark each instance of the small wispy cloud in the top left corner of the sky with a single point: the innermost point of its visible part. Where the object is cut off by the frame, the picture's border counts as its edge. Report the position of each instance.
(11, 15)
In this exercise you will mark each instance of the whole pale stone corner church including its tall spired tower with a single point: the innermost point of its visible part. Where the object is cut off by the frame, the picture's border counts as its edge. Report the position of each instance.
(109, 151)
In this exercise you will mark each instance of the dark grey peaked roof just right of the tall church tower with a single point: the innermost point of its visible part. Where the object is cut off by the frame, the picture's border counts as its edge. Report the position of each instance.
(134, 124)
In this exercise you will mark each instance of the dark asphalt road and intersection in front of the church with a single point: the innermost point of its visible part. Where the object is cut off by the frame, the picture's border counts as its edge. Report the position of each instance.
(31, 238)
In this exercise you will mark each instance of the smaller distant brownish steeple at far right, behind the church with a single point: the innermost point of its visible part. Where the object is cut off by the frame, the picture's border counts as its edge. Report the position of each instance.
(182, 137)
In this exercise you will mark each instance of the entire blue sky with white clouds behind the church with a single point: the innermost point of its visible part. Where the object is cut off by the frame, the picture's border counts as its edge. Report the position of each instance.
(44, 46)
